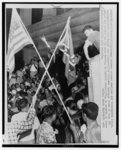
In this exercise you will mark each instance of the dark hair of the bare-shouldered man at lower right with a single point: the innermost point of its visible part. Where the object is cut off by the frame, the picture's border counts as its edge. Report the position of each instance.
(91, 110)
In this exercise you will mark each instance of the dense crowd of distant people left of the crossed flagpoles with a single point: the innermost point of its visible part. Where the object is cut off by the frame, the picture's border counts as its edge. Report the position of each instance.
(23, 83)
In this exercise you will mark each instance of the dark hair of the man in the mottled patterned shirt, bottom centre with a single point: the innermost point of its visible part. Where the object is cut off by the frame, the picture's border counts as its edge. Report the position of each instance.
(48, 111)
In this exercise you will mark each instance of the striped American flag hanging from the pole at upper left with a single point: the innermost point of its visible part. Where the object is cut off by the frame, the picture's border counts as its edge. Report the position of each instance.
(18, 38)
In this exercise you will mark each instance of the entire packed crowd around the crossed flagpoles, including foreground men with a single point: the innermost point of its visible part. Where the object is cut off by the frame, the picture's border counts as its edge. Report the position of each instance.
(51, 122)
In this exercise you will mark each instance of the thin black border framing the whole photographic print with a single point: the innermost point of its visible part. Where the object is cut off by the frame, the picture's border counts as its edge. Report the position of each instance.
(3, 78)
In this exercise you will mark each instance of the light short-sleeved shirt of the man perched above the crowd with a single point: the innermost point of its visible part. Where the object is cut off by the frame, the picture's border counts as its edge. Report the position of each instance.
(94, 38)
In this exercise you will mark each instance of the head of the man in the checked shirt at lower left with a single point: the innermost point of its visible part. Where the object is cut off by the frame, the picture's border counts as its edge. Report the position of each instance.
(23, 105)
